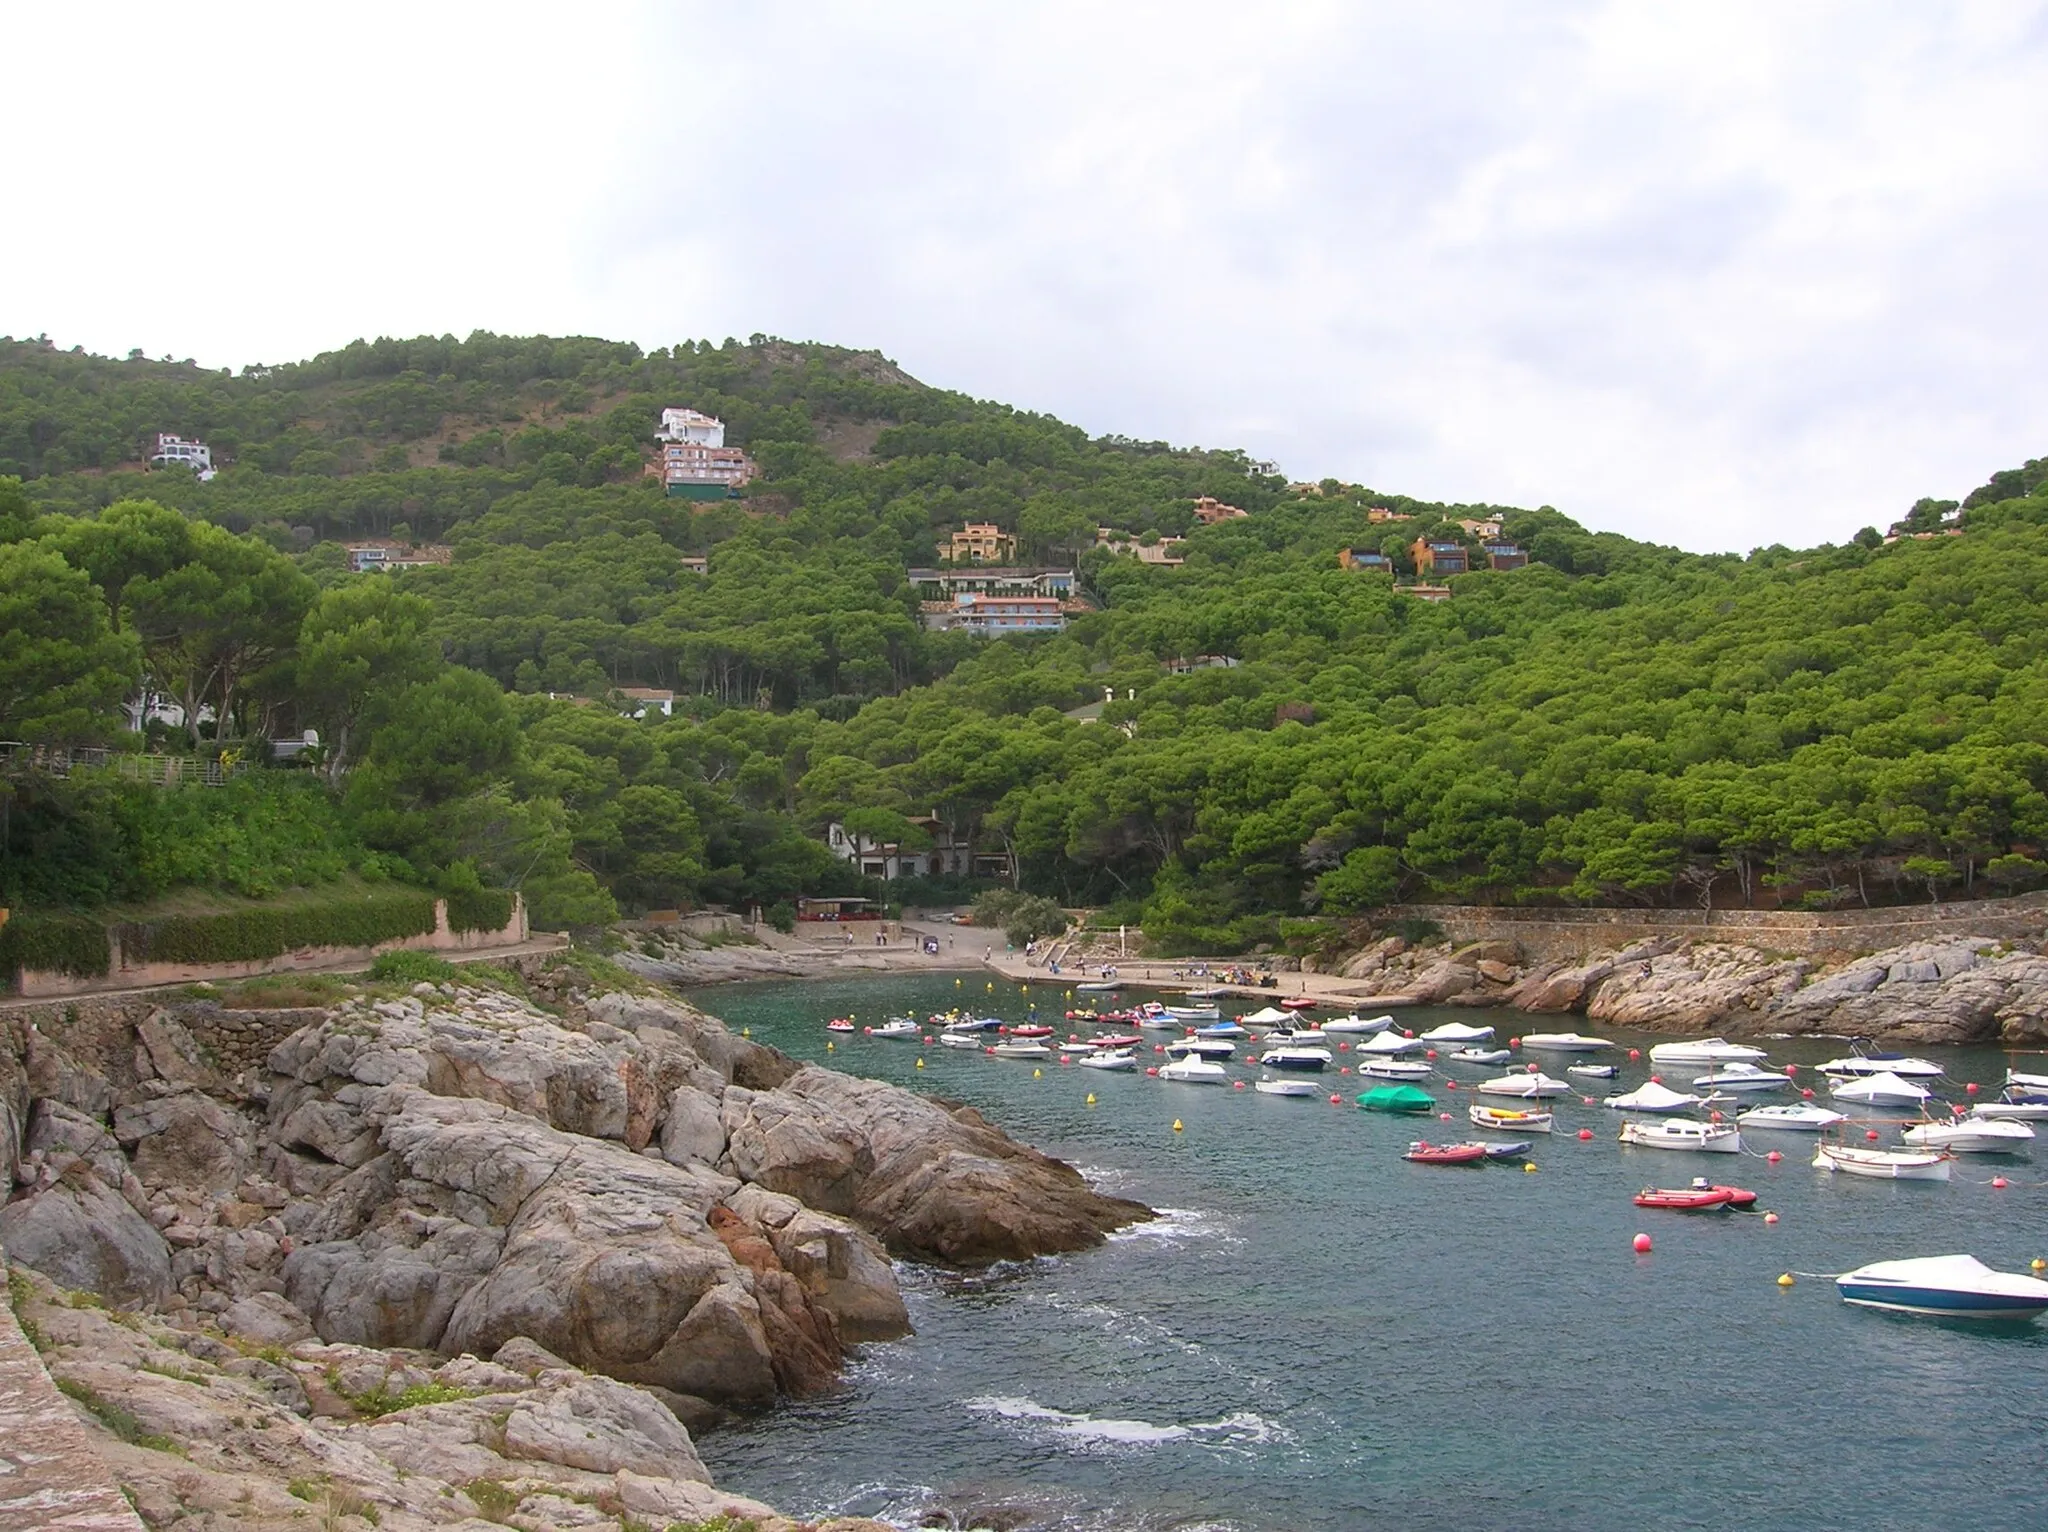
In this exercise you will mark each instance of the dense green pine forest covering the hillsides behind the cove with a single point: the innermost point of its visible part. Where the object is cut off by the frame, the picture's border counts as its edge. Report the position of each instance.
(1613, 724)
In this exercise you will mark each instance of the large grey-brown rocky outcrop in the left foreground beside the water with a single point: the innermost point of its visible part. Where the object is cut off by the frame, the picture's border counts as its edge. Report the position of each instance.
(452, 1259)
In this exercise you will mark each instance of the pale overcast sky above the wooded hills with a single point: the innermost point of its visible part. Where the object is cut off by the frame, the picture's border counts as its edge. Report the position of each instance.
(1717, 275)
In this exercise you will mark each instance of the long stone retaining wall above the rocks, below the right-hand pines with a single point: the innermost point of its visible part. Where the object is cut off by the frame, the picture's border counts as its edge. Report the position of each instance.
(1558, 935)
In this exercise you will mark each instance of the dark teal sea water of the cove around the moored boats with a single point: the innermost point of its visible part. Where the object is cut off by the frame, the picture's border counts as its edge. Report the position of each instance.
(1324, 1336)
